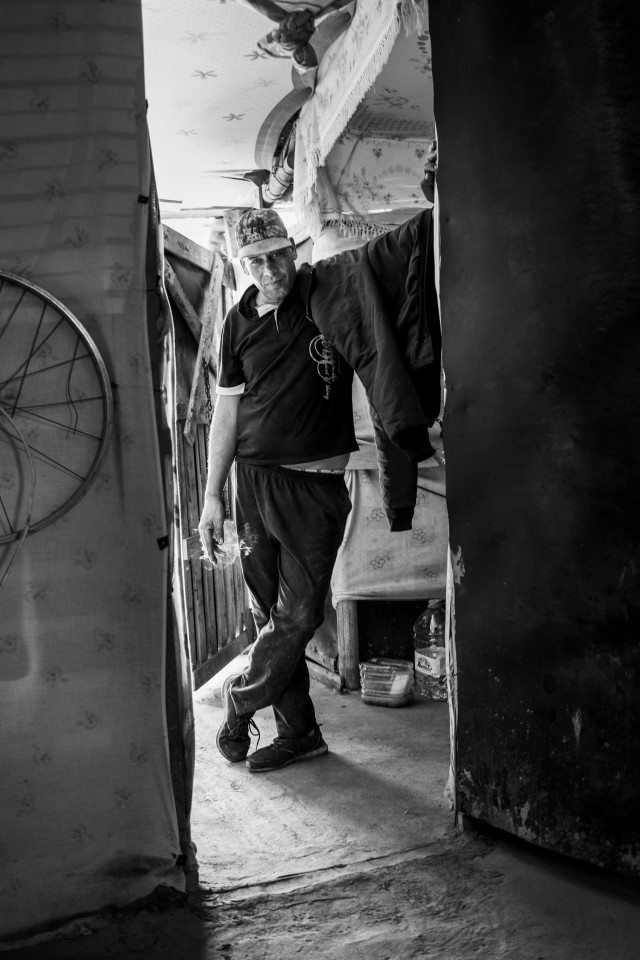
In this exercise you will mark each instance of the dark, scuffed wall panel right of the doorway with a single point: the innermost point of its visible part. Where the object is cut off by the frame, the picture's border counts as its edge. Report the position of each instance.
(537, 114)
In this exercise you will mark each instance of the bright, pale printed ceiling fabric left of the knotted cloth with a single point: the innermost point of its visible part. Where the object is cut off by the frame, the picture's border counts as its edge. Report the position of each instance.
(213, 88)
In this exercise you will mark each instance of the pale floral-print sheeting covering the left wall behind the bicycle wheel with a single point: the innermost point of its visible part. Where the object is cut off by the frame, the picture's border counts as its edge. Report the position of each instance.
(87, 810)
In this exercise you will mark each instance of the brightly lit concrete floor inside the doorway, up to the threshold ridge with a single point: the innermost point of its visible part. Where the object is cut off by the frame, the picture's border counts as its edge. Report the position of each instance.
(379, 791)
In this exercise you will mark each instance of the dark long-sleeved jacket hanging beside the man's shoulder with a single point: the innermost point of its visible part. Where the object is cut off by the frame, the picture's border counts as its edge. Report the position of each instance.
(378, 306)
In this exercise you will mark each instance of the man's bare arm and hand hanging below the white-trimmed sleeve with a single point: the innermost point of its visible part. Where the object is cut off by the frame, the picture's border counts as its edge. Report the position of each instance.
(222, 448)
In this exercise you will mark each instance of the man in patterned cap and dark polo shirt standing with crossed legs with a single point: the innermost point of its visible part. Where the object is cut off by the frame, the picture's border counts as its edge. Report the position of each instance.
(283, 412)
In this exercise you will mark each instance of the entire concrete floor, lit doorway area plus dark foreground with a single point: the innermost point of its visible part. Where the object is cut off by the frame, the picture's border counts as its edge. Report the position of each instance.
(354, 855)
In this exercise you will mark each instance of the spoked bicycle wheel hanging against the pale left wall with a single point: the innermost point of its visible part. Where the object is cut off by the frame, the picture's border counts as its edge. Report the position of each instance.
(41, 338)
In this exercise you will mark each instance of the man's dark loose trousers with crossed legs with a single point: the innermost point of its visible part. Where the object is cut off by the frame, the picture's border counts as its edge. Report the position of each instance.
(294, 523)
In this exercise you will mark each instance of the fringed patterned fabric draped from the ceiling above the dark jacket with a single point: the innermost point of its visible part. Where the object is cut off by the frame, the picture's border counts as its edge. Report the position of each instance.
(362, 140)
